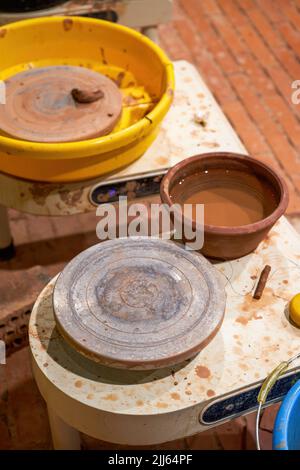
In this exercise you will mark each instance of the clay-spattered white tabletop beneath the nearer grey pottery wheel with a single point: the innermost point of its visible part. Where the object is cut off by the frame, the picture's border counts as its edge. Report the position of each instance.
(256, 335)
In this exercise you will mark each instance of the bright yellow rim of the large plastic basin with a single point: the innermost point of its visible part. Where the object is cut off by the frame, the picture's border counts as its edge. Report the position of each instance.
(110, 142)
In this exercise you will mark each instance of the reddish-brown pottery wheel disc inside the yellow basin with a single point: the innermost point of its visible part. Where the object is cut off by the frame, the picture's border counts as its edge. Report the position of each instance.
(40, 107)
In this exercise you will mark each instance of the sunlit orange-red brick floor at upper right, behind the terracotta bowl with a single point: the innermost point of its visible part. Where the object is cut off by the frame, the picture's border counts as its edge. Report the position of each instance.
(248, 53)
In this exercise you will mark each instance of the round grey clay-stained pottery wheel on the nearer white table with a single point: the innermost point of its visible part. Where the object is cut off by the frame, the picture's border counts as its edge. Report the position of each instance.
(138, 303)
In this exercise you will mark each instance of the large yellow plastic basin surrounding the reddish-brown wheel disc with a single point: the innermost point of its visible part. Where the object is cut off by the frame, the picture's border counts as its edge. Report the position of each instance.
(119, 52)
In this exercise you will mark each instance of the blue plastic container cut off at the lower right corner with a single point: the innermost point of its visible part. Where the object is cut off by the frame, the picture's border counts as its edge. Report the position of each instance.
(286, 434)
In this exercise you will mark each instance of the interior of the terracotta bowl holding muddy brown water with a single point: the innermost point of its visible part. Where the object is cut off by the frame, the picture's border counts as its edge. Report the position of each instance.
(231, 198)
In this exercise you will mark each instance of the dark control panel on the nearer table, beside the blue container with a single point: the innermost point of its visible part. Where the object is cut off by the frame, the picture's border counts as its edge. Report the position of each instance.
(244, 402)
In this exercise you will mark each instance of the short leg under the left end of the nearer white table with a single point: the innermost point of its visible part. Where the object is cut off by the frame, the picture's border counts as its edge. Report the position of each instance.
(64, 437)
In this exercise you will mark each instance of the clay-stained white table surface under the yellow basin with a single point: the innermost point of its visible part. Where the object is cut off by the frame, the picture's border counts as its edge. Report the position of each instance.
(180, 137)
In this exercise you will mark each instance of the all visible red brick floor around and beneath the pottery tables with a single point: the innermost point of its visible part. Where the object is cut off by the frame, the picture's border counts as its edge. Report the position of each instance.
(247, 51)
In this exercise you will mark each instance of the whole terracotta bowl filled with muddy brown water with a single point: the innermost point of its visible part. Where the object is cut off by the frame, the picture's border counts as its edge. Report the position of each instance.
(242, 198)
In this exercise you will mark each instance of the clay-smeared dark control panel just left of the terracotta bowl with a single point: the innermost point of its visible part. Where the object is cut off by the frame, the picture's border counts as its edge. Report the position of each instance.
(140, 187)
